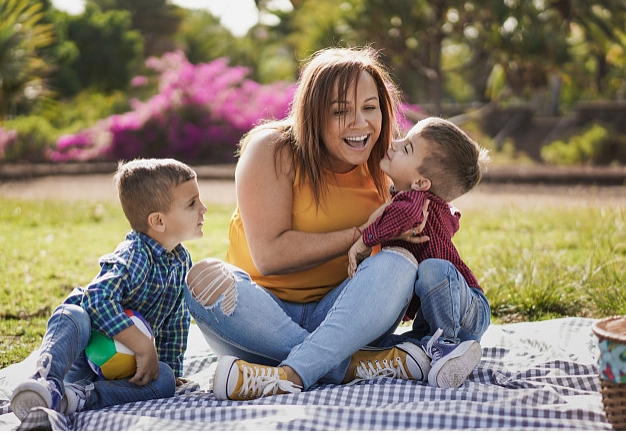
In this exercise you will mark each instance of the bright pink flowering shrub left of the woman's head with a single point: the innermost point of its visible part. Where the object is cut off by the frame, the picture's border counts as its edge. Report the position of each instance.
(199, 114)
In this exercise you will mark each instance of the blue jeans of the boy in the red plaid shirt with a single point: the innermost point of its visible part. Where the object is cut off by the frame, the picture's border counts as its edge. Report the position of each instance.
(447, 302)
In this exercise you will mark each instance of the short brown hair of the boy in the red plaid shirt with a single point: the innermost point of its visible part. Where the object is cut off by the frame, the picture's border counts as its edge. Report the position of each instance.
(455, 163)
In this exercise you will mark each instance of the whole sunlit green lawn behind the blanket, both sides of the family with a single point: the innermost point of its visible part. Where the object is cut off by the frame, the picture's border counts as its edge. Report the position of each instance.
(533, 264)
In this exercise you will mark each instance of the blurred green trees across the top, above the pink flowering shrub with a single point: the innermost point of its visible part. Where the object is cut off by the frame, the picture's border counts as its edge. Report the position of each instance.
(447, 56)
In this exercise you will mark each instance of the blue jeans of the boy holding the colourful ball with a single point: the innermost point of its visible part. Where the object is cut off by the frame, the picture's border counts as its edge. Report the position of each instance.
(65, 340)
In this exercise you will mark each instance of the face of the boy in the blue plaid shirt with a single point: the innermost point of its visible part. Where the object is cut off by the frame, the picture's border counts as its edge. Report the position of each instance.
(185, 217)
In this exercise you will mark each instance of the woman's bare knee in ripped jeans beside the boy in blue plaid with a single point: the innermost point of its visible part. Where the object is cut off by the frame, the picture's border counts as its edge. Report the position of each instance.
(208, 280)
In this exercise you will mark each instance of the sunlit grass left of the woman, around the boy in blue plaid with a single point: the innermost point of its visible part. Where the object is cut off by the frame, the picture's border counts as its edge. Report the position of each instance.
(50, 247)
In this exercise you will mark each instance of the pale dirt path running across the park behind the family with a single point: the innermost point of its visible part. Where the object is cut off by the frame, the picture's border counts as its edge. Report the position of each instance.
(101, 188)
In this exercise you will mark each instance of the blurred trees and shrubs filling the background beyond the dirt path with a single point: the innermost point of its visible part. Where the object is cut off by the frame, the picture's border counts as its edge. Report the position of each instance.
(536, 81)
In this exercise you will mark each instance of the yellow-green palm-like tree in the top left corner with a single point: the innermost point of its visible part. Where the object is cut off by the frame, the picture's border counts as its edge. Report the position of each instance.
(22, 69)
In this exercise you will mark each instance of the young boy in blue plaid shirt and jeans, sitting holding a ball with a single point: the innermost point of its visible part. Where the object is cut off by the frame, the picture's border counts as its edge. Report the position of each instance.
(146, 273)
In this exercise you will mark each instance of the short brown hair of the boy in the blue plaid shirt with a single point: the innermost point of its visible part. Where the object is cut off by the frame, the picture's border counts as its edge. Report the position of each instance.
(145, 186)
